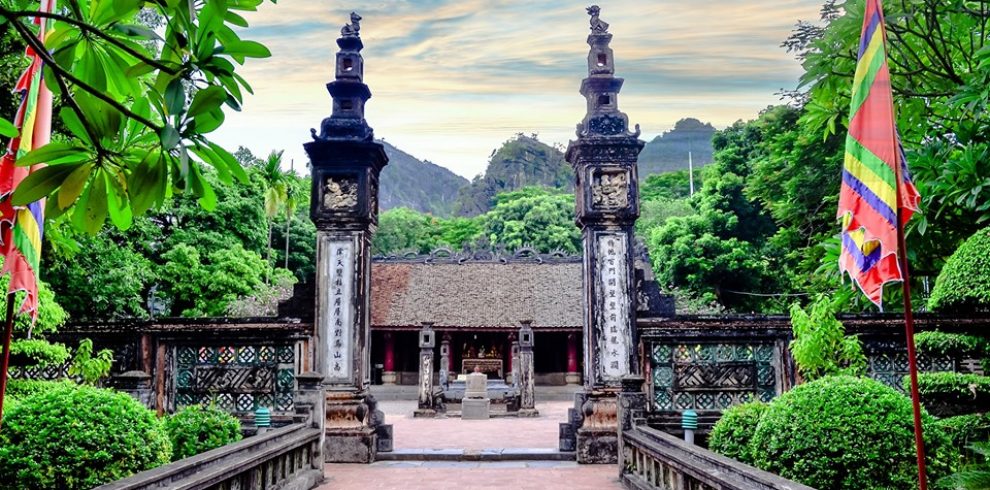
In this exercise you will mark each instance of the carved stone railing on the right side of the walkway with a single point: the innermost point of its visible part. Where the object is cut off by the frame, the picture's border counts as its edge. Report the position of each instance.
(655, 460)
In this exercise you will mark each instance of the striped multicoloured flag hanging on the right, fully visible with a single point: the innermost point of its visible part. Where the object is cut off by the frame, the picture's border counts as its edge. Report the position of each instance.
(877, 196)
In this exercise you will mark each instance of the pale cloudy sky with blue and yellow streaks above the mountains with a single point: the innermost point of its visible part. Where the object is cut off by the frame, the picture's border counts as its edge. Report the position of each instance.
(451, 80)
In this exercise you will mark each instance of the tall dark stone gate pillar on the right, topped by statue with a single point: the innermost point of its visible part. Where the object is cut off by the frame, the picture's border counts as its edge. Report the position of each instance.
(604, 161)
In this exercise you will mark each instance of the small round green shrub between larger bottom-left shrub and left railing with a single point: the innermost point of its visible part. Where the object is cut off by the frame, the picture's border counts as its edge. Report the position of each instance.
(196, 429)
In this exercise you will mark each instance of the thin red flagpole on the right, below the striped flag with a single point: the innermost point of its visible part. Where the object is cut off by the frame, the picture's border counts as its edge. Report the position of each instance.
(919, 440)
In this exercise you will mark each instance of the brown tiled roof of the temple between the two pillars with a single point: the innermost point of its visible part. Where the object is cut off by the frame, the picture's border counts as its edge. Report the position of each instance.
(468, 291)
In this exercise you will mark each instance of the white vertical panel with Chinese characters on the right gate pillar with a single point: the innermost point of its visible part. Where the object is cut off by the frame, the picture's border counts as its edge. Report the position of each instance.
(614, 335)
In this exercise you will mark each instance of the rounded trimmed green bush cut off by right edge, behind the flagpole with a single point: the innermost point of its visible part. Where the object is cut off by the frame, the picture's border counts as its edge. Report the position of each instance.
(964, 284)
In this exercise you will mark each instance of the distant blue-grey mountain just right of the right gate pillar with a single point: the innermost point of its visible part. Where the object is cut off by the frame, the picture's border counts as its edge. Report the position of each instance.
(669, 151)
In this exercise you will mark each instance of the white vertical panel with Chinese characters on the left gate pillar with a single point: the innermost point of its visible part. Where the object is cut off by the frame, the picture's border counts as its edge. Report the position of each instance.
(339, 313)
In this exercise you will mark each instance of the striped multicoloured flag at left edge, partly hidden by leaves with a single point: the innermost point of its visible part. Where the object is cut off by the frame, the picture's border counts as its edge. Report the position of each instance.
(21, 227)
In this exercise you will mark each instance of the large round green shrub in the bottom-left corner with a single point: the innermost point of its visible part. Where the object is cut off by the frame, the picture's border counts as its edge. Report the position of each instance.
(78, 437)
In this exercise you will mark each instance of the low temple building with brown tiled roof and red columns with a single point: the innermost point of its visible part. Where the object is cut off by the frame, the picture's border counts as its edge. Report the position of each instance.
(475, 302)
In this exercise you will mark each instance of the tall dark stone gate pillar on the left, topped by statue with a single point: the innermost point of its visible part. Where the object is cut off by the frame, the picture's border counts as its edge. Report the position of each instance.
(345, 165)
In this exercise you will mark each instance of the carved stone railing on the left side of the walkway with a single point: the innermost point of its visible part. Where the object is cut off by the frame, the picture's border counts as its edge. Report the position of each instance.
(286, 458)
